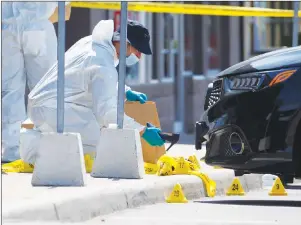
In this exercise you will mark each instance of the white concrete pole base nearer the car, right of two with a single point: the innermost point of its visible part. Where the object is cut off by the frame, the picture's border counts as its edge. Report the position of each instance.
(119, 155)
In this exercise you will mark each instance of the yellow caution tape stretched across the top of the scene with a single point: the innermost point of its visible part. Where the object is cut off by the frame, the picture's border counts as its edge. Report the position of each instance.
(192, 9)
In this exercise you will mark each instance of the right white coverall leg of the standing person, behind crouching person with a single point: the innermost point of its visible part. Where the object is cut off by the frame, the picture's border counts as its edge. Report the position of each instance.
(40, 52)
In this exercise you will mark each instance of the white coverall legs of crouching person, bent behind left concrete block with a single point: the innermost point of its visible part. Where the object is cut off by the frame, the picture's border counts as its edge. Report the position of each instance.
(78, 119)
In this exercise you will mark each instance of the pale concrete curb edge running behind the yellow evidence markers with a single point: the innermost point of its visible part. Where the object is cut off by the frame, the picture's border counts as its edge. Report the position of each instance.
(84, 204)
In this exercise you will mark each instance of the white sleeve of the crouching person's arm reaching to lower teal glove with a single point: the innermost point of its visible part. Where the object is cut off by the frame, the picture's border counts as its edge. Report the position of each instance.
(104, 98)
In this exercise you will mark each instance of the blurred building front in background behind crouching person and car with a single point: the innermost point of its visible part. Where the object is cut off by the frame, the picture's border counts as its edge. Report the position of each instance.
(188, 52)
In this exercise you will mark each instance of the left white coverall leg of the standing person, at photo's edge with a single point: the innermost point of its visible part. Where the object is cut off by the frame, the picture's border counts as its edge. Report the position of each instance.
(13, 90)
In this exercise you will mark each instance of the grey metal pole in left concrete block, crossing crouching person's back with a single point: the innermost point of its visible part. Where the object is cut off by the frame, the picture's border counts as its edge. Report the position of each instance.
(61, 67)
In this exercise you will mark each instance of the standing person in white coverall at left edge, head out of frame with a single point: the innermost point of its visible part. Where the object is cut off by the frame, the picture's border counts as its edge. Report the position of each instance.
(29, 49)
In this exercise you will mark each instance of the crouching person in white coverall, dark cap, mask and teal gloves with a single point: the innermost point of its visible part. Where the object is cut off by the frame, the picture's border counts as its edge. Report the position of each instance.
(91, 90)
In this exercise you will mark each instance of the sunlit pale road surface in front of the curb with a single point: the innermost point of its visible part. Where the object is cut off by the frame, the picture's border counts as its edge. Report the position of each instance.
(256, 208)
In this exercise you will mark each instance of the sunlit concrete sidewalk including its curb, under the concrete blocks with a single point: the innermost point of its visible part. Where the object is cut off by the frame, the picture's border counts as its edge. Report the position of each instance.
(102, 196)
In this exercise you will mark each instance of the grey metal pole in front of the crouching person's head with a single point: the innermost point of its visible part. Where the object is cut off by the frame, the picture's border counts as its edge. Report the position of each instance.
(122, 66)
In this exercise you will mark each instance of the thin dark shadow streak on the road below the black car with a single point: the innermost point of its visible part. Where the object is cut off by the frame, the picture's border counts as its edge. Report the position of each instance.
(279, 203)
